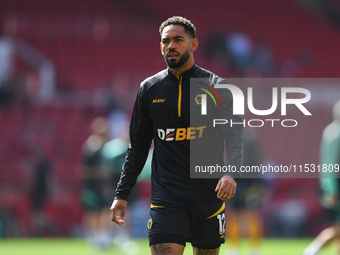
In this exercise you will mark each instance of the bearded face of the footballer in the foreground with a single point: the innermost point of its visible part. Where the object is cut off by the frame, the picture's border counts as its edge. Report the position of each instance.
(175, 45)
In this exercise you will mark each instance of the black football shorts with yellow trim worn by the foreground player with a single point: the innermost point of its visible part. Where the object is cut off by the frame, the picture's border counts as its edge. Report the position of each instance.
(177, 221)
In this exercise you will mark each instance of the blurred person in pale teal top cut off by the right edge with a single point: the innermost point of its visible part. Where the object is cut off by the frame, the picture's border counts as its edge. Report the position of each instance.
(330, 185)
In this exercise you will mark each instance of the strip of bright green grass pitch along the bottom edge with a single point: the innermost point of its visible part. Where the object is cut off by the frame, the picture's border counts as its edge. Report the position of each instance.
(79, 246)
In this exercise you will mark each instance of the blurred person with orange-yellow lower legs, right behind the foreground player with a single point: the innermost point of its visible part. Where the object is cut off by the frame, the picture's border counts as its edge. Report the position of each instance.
(244, 219)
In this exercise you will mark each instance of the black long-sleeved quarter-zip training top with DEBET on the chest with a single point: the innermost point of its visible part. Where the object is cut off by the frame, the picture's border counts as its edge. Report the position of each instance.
(165, 111)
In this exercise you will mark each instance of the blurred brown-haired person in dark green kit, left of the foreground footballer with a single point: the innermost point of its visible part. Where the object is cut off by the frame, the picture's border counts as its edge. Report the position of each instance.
(95, 218)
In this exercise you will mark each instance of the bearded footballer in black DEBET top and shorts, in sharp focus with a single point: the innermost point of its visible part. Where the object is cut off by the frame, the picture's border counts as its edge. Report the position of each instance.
(183, 209)
